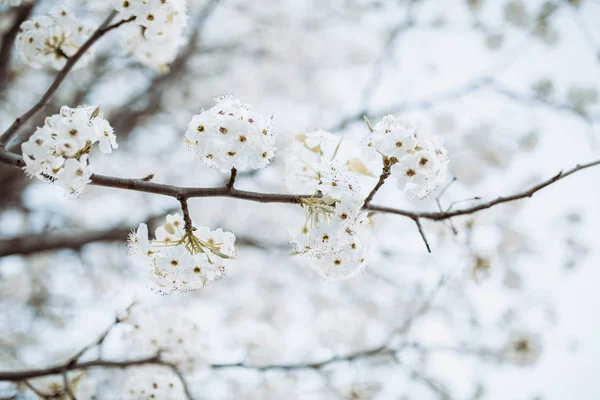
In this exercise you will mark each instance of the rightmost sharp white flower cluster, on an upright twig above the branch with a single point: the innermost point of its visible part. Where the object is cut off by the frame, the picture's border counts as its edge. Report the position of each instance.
(418, 163)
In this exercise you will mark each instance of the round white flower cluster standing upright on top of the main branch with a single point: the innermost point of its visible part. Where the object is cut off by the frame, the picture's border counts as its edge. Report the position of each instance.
(231, 135)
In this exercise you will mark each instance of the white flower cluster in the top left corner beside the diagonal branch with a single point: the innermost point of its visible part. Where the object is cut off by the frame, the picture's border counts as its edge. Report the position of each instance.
(49, 40)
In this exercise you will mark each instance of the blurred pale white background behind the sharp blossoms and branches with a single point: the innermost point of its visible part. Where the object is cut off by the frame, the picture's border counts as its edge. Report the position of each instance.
(507, 308)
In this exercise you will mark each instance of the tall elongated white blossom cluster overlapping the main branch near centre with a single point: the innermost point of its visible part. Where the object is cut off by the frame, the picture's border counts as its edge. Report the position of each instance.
(335, 238)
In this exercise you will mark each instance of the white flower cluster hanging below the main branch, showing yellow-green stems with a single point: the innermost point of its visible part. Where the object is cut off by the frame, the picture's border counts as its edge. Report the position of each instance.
(183, 258)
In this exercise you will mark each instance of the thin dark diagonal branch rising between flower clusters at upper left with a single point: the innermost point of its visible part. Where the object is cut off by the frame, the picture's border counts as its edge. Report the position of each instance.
(60, 77)
